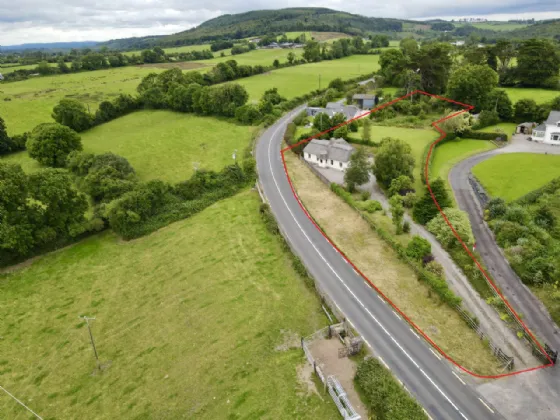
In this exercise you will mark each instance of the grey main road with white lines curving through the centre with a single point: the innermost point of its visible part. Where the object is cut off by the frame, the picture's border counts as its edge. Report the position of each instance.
(433, 381)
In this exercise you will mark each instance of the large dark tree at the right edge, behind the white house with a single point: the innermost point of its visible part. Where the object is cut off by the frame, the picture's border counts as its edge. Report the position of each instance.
(538, 63)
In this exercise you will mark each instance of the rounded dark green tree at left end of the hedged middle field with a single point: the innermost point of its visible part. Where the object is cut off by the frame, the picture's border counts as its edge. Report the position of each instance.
(50, 144)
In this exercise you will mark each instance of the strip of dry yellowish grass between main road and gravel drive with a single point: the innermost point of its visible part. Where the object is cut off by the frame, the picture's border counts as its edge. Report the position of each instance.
(393, 277)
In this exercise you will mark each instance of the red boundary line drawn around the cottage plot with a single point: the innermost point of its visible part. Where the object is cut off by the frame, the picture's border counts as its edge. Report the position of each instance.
(426, 171)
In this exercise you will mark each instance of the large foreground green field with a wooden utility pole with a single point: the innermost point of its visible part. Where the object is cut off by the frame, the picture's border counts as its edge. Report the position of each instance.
(190, 323)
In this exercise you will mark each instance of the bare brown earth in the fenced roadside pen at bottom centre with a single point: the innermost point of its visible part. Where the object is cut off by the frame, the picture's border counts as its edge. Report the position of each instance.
(325, 353)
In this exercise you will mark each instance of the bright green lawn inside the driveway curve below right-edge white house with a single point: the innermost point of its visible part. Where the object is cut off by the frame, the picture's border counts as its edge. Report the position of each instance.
(513, 175)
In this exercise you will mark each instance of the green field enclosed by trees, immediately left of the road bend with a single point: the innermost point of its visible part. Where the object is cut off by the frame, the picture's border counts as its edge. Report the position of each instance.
(162, 144)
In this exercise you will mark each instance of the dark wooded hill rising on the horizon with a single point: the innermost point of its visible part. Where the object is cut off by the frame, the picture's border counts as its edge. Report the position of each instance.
(262, 22)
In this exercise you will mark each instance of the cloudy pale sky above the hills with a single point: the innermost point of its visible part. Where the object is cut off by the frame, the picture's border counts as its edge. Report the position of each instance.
(31, 21)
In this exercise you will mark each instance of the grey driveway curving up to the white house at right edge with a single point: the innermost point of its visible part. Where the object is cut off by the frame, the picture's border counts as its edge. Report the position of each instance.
(520, 297)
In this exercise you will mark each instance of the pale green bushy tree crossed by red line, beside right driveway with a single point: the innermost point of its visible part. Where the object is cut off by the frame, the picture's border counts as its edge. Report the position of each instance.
(460, 222)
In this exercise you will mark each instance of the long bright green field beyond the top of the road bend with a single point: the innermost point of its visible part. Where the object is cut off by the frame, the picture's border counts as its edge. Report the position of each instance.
(298, 80)
